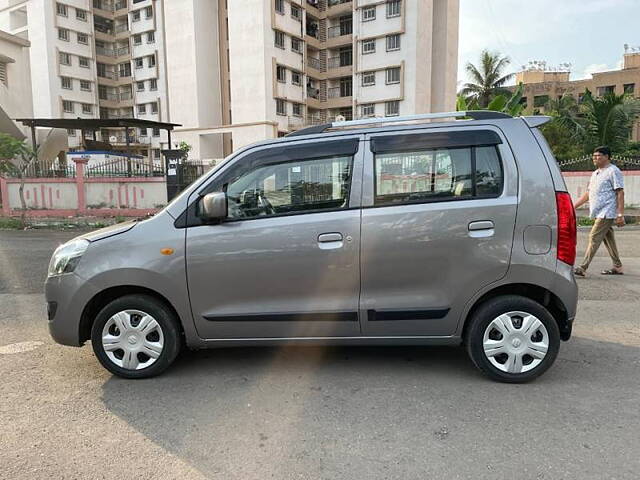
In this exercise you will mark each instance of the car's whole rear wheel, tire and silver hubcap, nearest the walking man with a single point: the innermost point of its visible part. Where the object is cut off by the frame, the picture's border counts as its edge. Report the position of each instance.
(512, 339)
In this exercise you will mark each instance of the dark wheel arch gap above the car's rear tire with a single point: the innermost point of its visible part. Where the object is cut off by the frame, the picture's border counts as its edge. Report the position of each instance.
(539, 294)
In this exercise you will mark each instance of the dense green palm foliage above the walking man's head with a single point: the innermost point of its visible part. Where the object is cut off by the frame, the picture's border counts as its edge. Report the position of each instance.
(608, 120)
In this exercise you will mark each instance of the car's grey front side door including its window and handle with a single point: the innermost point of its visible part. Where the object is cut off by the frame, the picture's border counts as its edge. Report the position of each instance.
(286, 261)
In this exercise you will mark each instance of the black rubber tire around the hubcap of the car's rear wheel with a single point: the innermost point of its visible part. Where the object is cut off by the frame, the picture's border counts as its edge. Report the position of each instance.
(492, 309)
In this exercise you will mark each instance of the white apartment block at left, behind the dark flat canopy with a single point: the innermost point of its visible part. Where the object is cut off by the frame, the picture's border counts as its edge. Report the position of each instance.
(95, 59)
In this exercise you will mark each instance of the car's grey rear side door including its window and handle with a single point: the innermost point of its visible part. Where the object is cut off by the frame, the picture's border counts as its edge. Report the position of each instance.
(439, 208)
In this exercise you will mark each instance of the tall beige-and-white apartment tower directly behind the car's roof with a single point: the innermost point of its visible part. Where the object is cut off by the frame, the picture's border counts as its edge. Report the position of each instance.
(282, 65)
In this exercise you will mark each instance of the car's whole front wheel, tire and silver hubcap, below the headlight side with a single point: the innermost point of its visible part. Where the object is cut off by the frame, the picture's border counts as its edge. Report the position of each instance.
(136, 336)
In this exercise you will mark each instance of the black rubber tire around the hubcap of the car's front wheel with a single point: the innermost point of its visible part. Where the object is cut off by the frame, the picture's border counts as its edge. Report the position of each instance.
(165, 318)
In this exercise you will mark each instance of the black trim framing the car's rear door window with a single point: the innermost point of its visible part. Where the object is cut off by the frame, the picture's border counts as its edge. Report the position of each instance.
(474, 195)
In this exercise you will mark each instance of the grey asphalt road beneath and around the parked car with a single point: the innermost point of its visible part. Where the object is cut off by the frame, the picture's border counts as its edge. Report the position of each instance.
(318, 413)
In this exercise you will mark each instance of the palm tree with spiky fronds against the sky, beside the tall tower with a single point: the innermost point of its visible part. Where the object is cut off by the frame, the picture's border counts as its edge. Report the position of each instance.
(488, 80)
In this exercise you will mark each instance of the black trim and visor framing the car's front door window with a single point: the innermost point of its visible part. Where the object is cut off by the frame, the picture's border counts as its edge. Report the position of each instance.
(190, 218)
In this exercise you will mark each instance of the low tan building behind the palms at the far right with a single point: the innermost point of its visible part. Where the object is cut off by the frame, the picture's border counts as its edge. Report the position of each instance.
(541, 85)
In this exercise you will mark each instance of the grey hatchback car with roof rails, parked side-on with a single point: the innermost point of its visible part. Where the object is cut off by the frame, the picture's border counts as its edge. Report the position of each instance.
(402, 231)
